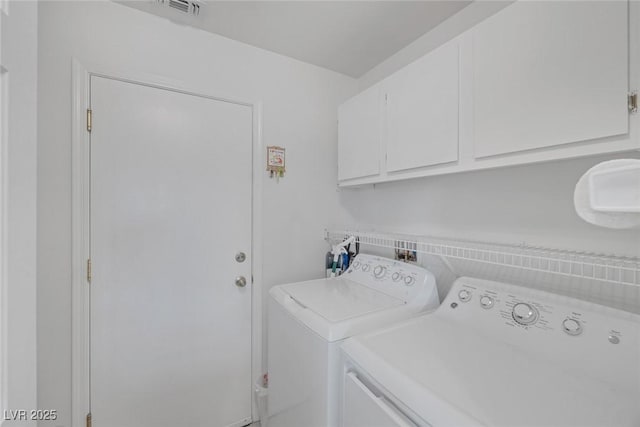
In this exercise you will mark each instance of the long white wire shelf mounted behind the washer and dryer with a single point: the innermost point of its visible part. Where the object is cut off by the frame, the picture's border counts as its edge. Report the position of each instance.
(598, 267)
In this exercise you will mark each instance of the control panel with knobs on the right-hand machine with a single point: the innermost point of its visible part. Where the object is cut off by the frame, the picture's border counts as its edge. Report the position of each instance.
(553, 328)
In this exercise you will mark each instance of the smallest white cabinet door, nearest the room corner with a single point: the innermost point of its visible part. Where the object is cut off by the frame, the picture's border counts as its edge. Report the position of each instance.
(359, 122)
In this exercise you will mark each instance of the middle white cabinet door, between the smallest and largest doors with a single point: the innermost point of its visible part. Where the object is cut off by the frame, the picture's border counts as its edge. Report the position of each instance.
(422, 111)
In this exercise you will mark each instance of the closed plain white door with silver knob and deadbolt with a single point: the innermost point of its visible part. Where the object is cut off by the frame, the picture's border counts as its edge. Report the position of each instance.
(170, 208)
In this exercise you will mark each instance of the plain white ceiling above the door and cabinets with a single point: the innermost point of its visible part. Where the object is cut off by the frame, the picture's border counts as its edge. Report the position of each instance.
(349, 37)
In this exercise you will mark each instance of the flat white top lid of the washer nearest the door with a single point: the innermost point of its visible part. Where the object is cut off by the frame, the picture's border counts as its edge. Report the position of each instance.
(339, 300)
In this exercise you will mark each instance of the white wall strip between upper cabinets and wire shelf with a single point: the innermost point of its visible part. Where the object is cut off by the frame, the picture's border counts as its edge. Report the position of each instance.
(532, 204)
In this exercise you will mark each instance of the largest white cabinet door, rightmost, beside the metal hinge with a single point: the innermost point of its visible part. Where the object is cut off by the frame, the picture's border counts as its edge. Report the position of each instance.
(547, 73)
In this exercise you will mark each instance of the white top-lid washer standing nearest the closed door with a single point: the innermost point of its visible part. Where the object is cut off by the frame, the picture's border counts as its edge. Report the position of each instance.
(309, 320)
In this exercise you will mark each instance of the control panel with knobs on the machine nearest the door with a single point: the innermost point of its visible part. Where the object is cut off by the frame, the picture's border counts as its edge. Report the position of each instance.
(394, 278)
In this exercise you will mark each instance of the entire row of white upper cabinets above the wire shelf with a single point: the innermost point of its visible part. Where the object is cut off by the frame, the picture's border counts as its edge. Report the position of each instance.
(537, 81)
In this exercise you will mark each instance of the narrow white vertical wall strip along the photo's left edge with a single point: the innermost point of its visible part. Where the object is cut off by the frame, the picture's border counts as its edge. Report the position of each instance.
(19, 58)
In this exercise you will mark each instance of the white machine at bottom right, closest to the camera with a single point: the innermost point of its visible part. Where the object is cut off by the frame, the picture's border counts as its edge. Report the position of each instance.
(495, 354)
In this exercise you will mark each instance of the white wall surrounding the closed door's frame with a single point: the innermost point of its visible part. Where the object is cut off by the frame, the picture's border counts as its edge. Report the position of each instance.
(299, 113)
